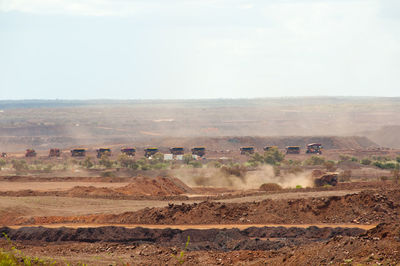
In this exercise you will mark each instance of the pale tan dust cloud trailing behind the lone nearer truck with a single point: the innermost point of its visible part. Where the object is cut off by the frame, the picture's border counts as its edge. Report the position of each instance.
(214, 177)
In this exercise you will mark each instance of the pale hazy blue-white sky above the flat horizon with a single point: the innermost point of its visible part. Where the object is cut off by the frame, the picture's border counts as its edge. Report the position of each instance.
(184, 49)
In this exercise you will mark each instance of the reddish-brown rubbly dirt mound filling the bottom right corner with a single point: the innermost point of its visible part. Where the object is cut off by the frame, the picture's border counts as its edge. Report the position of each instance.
(378, 246)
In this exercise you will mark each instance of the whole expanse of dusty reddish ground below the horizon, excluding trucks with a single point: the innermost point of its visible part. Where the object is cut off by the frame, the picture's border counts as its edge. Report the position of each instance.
(230, 209)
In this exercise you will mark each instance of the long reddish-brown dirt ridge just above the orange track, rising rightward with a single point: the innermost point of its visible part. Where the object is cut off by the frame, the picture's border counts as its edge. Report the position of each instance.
(365, 207)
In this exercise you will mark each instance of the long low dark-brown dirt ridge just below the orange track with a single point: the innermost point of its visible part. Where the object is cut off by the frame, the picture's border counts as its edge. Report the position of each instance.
(266, 238)
